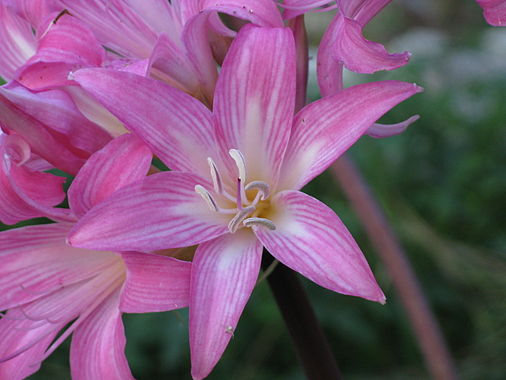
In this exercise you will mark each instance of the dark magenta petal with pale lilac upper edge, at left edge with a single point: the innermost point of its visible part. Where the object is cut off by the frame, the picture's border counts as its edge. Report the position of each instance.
(56, 110)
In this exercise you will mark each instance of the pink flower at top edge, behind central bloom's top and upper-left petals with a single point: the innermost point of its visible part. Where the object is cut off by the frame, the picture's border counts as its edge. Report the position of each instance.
(172, 39)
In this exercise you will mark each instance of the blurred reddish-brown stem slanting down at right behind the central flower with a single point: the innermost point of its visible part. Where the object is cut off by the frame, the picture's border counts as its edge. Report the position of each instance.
(424, 324)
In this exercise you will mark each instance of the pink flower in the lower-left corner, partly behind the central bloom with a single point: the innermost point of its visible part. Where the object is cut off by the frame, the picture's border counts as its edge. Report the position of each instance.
(47, 285)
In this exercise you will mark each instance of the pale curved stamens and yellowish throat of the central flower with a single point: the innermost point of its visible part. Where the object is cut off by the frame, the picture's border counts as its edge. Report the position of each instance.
(250, 202)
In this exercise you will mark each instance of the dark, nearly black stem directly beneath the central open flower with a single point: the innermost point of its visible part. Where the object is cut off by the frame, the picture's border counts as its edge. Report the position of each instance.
(311, 344)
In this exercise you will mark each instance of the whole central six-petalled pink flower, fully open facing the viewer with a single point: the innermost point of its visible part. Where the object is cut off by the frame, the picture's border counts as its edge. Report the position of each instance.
(234, 188)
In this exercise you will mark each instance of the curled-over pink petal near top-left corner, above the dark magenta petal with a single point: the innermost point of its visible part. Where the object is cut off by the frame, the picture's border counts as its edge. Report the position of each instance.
(66, 46)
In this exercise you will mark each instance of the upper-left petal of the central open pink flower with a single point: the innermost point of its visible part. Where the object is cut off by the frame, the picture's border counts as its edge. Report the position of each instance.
(177, 127)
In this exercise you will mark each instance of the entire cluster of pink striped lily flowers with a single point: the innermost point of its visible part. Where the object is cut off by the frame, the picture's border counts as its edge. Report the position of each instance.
(96, 89)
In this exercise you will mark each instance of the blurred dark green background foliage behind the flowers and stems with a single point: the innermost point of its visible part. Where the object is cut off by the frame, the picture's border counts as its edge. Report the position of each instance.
(442, 184)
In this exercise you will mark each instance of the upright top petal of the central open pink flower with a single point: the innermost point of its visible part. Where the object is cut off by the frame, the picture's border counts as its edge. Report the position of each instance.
(254, 100)
